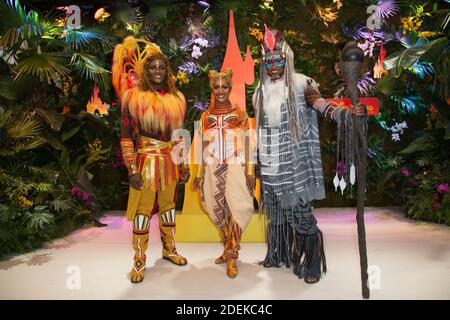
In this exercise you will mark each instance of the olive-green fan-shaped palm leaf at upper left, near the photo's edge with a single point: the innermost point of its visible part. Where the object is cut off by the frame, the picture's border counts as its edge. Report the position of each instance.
(48, 66)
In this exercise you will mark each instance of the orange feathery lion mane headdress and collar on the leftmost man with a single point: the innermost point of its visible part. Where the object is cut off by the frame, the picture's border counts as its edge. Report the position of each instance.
(130, 81)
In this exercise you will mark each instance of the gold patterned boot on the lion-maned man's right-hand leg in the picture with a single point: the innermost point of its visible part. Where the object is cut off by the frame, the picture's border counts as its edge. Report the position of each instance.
(167, 229)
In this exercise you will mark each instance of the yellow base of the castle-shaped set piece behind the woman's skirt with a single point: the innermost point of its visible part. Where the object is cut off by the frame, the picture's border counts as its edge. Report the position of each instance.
(194, 224)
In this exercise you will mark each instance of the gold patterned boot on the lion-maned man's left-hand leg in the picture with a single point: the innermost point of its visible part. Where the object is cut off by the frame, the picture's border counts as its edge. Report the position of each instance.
(140, 244)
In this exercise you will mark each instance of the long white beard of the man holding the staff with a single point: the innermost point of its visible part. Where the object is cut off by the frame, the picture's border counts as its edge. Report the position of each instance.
(274, 96)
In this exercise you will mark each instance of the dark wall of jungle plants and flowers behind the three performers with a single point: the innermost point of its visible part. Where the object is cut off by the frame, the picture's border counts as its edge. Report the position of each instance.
(60, 162)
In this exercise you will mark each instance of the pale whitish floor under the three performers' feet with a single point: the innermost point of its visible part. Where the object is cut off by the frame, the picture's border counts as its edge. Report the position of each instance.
(410, 260)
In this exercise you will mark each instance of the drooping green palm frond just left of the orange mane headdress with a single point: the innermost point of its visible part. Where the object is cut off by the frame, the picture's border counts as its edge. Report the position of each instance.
(87, 66)
